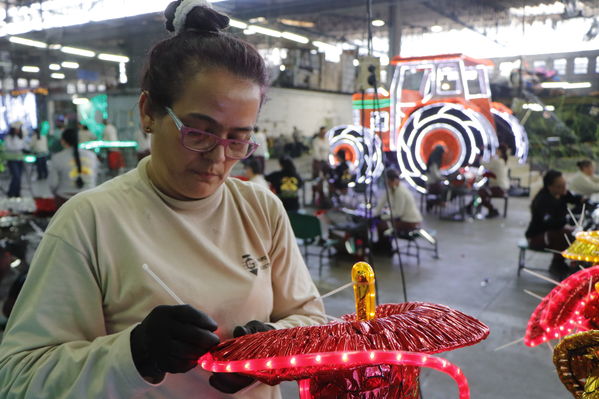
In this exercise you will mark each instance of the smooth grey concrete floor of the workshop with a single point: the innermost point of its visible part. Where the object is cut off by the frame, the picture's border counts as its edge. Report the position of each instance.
(476, 275)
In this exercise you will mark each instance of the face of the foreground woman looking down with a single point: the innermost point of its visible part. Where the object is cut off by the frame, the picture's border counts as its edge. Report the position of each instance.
(216, 102)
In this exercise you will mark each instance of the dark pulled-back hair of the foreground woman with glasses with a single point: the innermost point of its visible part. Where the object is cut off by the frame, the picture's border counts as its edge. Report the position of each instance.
(200, 44)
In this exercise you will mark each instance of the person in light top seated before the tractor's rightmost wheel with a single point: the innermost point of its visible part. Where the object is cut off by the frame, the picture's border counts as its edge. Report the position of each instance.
(499, 181)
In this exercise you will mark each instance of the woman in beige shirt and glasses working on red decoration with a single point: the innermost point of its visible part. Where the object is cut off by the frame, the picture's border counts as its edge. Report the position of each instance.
(90, 323)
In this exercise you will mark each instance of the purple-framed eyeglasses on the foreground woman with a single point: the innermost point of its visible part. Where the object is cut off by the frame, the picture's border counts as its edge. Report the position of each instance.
(200, 141)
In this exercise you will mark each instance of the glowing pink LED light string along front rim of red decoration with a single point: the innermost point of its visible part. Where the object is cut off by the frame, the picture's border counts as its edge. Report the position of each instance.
(337, 359)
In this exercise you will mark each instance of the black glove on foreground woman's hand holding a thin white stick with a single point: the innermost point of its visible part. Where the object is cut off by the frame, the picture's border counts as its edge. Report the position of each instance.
(171, 339)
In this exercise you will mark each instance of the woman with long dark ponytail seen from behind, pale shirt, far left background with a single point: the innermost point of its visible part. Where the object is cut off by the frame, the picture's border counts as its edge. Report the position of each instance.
(72, 170)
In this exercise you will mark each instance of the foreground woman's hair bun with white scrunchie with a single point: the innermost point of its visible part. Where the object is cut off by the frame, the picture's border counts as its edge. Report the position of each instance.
(196, 15)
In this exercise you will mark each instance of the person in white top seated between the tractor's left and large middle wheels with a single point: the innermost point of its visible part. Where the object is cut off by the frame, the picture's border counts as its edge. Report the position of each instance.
(405, 213)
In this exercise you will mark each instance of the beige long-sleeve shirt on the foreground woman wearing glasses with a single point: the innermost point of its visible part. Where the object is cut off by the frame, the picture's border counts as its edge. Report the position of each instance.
(232, 255)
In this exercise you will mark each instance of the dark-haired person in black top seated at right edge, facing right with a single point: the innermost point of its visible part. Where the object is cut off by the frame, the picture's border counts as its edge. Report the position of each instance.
(548, 226)
